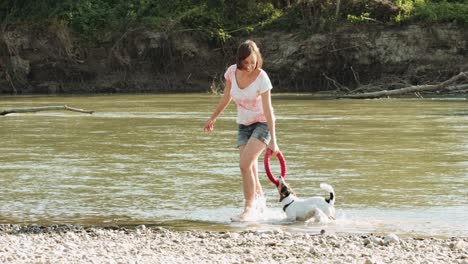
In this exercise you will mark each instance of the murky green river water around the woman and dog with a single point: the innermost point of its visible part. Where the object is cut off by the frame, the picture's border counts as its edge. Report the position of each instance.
(396, 165)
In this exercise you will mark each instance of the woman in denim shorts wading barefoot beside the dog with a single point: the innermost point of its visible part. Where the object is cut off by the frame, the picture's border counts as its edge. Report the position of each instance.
(249, 86)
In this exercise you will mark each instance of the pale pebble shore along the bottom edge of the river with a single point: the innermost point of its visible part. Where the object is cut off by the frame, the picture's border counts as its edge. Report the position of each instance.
(75, 244)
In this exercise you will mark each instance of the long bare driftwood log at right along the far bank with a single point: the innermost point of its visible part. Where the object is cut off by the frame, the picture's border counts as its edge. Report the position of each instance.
(448, 84)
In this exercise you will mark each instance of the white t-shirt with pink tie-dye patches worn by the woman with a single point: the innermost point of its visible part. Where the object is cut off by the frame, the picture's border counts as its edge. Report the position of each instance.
(249, 100)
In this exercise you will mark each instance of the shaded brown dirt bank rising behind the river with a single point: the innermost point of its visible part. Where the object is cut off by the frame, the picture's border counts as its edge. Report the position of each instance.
(51, 60)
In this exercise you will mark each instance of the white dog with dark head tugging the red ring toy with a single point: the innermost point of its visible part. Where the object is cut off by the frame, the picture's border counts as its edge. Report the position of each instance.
(318, 208)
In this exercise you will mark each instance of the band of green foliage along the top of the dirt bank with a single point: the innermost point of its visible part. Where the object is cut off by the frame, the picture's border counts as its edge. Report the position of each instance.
(220, 20)
